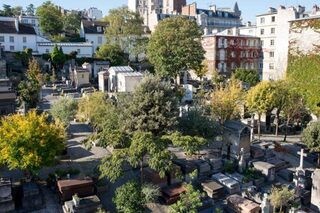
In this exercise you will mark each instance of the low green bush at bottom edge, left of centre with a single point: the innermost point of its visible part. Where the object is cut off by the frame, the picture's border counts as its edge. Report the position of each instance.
(132, 197)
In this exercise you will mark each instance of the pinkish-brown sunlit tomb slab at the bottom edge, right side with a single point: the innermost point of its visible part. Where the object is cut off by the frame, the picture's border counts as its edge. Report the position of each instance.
(238, 204)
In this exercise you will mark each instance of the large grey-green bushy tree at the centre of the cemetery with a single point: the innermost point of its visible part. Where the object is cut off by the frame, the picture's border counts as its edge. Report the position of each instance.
(153, 107)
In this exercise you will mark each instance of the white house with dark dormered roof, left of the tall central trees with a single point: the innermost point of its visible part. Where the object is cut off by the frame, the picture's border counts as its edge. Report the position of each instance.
(93, 32)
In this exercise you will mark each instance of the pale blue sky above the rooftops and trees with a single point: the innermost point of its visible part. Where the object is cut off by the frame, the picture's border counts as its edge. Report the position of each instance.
(249, 8)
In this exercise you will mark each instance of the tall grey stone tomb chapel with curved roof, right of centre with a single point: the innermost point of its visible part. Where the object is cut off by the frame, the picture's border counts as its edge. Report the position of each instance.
(236, 136)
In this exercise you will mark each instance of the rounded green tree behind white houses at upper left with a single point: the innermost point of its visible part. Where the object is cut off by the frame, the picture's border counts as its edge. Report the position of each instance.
(50, 18)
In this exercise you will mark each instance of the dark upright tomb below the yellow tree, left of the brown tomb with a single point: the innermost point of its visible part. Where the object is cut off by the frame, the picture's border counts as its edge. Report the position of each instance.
(32, 197)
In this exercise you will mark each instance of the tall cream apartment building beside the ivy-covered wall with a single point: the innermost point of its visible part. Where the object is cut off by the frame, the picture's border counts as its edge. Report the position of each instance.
(273, 29)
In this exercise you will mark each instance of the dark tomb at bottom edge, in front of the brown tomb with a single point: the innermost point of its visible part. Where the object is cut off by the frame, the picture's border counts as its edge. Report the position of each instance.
(88, 204)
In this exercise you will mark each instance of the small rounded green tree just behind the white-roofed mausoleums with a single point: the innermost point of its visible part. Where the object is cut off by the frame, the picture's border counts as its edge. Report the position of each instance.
(112, 53)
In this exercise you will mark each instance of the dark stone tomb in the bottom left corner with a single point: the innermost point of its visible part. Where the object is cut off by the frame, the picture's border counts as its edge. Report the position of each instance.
(6, 202)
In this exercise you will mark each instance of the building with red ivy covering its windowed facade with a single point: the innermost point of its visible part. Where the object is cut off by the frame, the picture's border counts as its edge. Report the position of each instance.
(228, 50)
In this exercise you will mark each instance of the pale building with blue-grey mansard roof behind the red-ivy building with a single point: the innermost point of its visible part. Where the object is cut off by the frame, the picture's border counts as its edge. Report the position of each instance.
(214, 19)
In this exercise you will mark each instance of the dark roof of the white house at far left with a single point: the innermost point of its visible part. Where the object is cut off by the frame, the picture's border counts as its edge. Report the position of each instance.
(8, 27)
